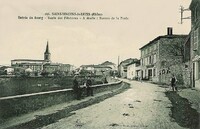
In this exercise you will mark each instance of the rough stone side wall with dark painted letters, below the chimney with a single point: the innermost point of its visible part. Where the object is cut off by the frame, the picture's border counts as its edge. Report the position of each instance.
(171, 59)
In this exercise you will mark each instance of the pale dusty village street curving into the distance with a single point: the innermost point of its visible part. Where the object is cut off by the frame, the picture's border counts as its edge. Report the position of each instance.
(143, 106)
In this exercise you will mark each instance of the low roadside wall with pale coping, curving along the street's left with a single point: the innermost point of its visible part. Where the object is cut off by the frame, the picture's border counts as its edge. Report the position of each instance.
(21, 104)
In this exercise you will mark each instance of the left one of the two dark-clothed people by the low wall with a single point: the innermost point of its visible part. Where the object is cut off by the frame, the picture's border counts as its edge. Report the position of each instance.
(76, 88)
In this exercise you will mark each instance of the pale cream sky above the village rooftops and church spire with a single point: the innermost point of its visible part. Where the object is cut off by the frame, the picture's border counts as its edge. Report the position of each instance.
(81, 41)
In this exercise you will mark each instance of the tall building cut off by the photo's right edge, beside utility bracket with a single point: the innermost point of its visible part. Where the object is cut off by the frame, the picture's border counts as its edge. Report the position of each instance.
(195, 42)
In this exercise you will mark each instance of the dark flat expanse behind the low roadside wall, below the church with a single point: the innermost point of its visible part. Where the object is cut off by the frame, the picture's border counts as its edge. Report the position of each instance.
(26, 85)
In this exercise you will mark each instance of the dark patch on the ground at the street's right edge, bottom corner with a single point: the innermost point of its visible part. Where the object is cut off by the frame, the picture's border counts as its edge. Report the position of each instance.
(182, 112)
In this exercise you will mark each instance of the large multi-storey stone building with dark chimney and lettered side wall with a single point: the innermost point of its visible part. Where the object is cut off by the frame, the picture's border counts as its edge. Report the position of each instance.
(162, 57)
